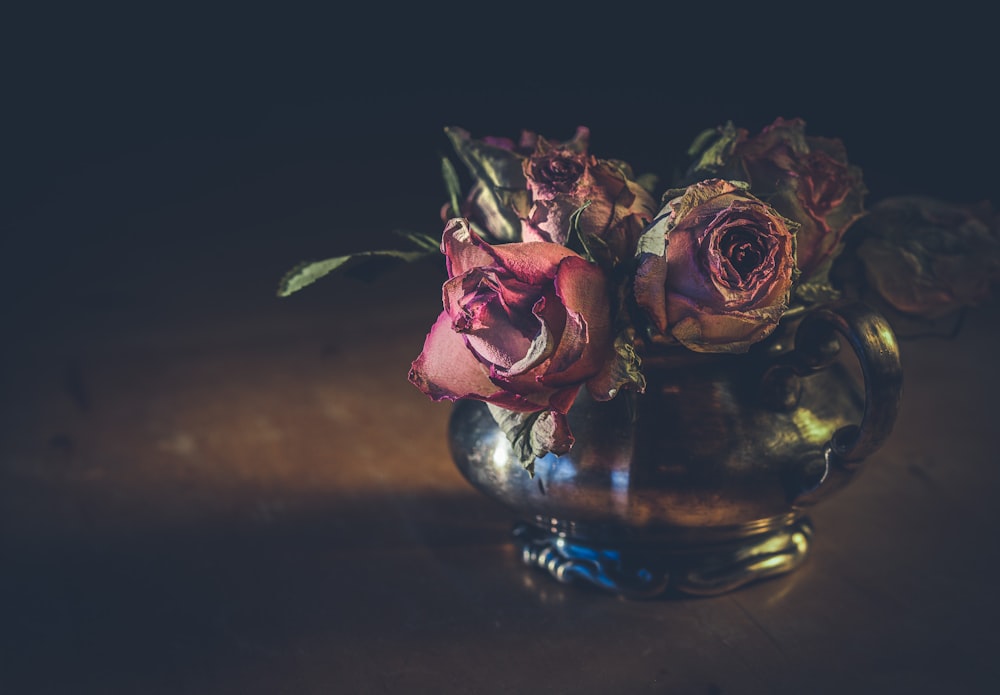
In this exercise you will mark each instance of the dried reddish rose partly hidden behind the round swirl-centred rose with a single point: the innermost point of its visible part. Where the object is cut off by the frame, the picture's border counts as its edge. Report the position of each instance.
(805, 178)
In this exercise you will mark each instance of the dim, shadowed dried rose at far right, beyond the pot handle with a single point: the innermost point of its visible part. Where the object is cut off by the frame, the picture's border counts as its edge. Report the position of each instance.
(928, 257)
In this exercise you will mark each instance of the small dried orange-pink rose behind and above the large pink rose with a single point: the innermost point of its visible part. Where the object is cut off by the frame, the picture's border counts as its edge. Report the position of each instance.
(610, 206)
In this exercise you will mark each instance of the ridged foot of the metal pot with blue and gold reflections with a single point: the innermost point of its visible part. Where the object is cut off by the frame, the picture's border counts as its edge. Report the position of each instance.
(640, 571)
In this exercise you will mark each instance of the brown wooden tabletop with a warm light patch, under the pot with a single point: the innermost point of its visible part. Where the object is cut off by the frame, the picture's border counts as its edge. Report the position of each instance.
(206, 489)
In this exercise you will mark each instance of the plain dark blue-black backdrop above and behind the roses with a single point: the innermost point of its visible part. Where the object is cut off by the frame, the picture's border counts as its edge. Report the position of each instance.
(174, 152)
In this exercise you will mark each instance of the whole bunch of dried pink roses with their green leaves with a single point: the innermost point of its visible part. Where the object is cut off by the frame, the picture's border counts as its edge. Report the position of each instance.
(566, 270)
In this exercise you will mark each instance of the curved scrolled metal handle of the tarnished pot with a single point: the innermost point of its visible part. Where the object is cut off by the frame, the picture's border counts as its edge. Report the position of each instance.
(877, 351)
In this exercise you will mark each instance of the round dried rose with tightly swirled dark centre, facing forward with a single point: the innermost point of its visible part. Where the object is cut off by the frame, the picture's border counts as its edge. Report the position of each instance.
(715, 269)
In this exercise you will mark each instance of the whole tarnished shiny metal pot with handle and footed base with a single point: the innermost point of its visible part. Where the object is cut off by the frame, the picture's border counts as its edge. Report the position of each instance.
(701, 483)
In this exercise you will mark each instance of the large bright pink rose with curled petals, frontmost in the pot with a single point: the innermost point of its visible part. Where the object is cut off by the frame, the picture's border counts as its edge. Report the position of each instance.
(524, 326)
